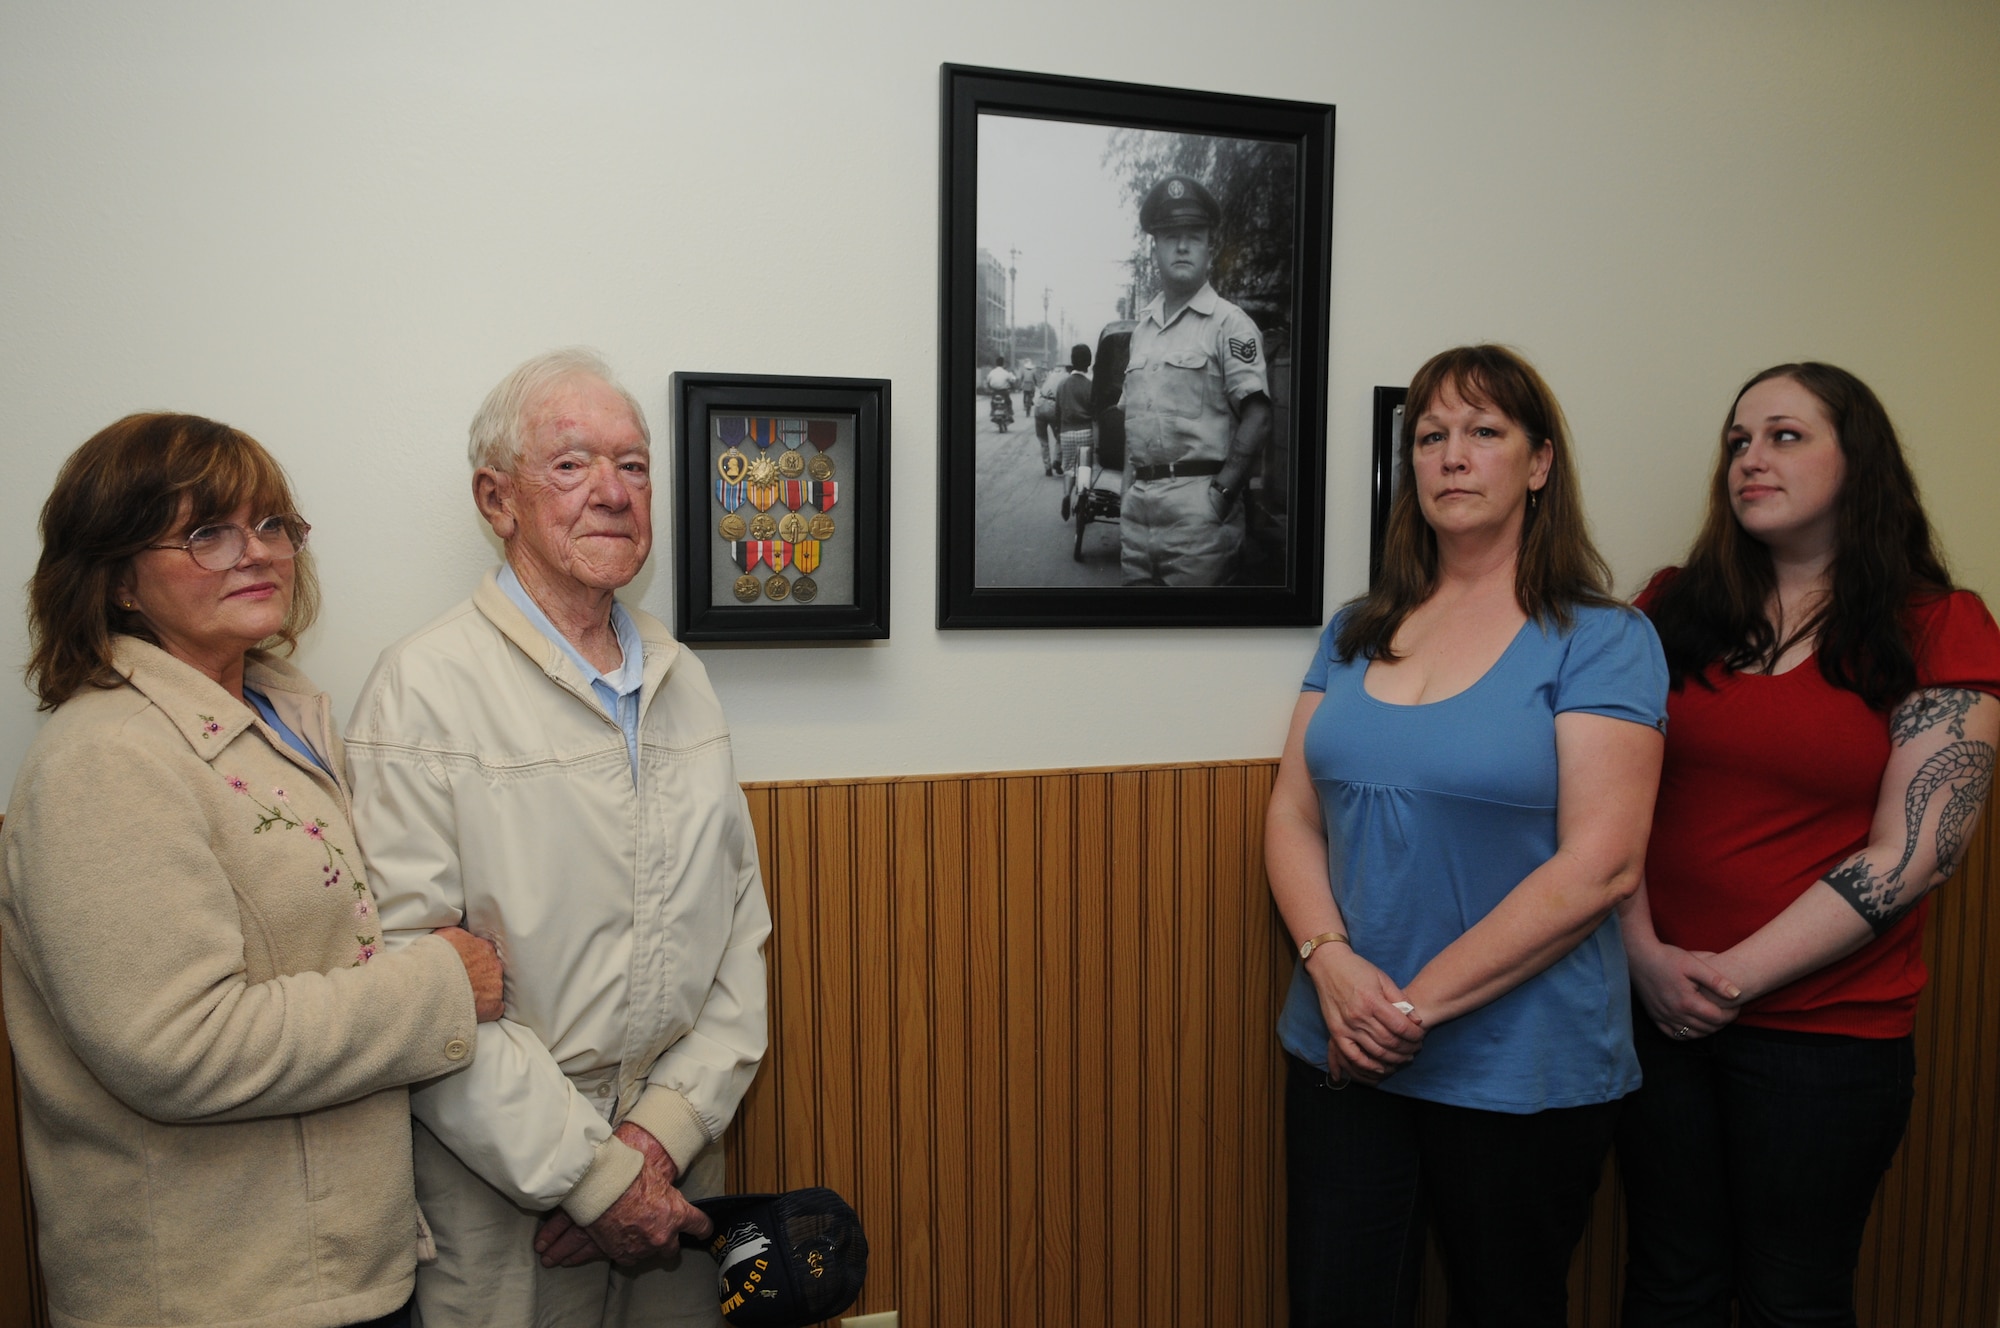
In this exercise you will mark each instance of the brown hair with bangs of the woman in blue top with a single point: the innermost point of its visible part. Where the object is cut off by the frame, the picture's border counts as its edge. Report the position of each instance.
(1557, 567)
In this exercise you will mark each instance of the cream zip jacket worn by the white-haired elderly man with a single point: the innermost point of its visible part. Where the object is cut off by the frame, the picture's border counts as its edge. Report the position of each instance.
(493, 789)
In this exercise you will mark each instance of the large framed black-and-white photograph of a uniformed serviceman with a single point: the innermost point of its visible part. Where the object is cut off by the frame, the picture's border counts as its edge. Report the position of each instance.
(1133, 355)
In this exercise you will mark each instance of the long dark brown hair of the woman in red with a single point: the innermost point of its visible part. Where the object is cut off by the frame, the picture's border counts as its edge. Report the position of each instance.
(1885, 557)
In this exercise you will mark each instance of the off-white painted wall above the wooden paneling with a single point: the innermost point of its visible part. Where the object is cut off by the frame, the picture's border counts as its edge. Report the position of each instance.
(337, 225)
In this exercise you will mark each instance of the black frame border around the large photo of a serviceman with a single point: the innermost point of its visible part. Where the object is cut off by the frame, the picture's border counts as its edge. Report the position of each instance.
(1297, 597)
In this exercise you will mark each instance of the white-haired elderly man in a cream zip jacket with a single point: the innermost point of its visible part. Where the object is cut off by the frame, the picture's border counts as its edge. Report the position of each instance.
(551, 771)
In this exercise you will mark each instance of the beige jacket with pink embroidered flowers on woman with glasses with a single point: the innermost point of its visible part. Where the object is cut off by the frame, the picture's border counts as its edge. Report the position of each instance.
(209, 1047)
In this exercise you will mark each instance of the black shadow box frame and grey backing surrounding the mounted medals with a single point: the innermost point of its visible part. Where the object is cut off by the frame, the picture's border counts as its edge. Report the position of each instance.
(699, 617)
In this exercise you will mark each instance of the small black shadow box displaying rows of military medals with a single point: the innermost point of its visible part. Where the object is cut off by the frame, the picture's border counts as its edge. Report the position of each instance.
(853, 417)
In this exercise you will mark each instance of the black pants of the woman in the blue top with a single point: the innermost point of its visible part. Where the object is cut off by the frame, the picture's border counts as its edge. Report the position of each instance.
(1367, 1171)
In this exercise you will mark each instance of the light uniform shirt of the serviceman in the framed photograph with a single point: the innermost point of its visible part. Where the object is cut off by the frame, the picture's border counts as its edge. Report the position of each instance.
(1187, 377)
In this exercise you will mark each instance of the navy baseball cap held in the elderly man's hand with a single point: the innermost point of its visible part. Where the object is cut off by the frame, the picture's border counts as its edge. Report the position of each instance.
(785, 1261)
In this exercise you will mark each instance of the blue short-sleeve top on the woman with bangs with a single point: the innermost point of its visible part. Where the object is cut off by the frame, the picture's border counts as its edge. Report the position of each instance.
(1435, 813)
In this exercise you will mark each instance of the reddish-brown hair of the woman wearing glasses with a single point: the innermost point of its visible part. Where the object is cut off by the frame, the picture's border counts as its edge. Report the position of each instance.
(143, 481)
